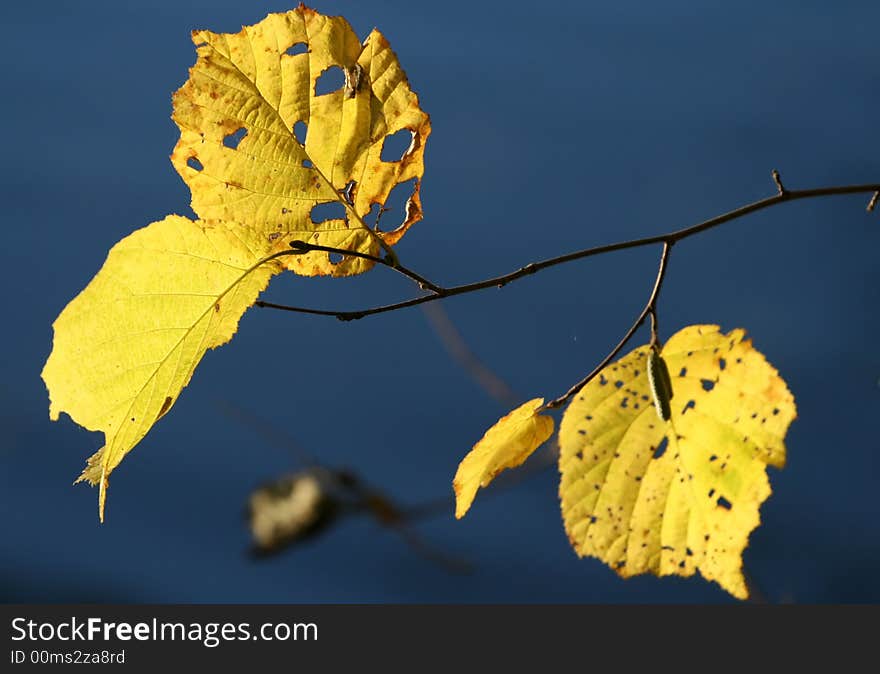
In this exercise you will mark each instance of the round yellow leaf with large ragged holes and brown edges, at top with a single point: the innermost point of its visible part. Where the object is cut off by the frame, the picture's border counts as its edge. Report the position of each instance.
(261, 82)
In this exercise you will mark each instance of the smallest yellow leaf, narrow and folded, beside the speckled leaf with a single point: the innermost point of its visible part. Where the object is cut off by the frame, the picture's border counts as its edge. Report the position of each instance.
(507, 444)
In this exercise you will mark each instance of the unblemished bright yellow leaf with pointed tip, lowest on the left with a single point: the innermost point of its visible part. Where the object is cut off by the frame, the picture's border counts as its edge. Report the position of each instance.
(127, 344)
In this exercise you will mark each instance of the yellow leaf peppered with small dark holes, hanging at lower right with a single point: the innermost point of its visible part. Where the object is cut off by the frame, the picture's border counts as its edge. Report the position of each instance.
(679, 496)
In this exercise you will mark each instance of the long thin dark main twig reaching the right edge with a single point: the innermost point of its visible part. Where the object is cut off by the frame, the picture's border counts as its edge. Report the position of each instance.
(500, 281)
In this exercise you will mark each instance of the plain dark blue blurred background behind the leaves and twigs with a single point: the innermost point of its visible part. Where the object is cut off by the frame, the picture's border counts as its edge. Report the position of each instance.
(557, 126)
